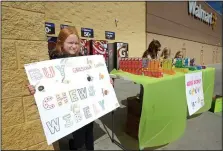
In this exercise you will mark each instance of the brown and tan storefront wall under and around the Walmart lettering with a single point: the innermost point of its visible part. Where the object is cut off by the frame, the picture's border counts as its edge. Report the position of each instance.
(171, 24)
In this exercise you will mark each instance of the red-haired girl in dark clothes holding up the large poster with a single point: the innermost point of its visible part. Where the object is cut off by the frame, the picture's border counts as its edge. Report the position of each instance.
(68, 45)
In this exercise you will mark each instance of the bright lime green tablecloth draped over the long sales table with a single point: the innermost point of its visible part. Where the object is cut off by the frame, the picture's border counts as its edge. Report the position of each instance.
(164, 111)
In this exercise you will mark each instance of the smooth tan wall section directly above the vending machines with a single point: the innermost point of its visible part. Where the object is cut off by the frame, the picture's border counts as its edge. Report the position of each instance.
(101, 17)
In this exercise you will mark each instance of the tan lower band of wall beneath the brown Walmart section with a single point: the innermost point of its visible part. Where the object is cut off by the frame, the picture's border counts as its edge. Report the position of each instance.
(193, 49)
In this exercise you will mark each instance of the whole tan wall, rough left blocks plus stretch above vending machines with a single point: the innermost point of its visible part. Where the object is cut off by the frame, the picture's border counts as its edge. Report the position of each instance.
(23, 32)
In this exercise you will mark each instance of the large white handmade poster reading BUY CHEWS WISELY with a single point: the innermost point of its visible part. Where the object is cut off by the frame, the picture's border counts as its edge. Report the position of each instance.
(71, 93)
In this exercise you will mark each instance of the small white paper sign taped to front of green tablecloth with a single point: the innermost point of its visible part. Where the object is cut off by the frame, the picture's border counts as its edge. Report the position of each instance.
(194, 91)
